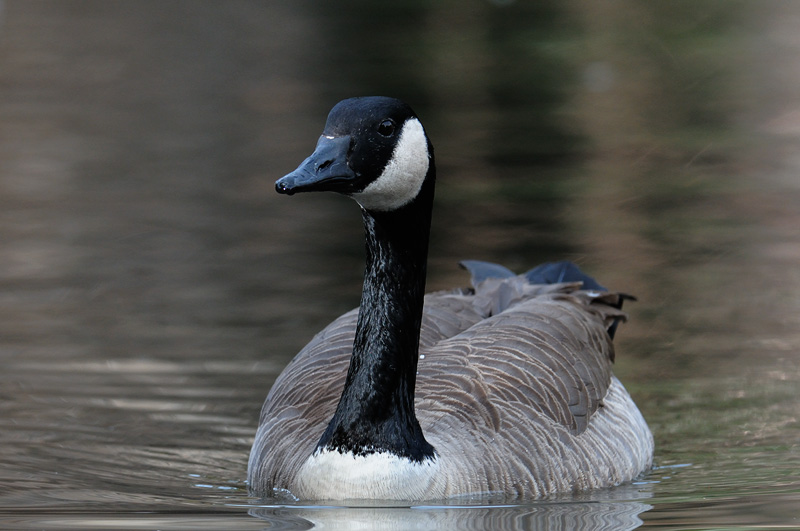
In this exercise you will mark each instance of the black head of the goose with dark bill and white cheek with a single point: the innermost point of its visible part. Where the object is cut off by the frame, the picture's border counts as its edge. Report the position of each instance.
(373, 149)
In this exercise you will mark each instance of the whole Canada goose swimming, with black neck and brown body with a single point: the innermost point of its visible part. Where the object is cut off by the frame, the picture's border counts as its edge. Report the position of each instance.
(502, 388)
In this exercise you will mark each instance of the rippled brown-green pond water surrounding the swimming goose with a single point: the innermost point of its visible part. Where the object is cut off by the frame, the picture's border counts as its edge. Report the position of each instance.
(152, 285)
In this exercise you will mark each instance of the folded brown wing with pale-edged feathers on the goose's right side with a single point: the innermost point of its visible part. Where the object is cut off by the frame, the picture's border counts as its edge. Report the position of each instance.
(549, 356)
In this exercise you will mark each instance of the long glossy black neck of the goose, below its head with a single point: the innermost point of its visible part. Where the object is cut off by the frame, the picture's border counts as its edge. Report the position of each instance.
(376, 410)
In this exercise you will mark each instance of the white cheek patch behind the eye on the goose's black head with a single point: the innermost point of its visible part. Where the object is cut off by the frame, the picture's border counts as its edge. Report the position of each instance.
(402, 178)
